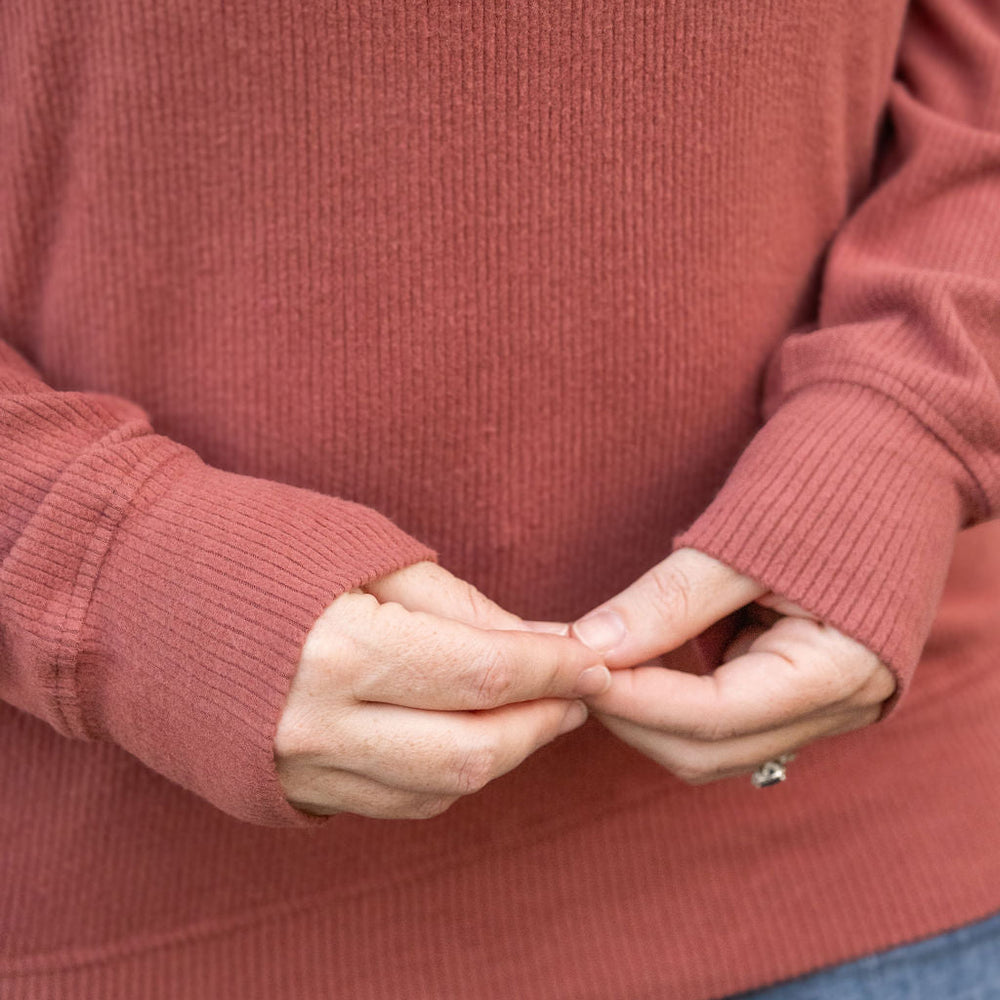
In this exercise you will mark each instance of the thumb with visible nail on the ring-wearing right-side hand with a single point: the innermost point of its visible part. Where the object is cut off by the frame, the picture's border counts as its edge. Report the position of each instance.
(673, 602)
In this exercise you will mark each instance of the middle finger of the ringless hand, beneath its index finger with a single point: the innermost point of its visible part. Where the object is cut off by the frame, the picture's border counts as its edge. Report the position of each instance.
(448, 753)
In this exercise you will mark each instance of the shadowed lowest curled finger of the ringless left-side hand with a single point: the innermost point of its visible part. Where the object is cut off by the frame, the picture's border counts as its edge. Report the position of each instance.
(328, 791)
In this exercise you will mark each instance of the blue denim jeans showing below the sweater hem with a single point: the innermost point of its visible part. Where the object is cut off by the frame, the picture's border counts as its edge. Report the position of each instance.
(960, 965)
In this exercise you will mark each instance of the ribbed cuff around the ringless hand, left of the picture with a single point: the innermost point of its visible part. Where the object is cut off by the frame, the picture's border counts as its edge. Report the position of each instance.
(198, 615)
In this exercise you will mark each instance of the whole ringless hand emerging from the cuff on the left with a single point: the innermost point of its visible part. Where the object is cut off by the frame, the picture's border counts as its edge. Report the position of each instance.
(416, 690)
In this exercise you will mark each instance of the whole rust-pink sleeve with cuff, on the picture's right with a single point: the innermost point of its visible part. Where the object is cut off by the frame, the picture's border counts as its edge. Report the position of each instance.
(881, 433)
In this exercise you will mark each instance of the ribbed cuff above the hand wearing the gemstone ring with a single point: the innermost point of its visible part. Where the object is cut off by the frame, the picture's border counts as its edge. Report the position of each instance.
(844, 503)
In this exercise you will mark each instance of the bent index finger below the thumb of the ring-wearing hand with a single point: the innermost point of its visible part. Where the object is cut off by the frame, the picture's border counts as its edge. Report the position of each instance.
(794, 670)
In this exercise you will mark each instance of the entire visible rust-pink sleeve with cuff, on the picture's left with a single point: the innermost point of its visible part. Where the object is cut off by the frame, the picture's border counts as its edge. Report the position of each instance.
(150, 600)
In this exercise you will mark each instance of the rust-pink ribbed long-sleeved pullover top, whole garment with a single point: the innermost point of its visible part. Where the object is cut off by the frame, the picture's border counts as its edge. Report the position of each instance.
(293, 294)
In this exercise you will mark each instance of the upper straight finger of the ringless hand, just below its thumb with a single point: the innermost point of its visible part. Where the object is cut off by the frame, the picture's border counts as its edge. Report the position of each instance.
(422, 661)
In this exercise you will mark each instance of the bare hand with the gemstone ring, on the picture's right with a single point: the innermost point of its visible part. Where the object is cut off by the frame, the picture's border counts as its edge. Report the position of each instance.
(787, 679)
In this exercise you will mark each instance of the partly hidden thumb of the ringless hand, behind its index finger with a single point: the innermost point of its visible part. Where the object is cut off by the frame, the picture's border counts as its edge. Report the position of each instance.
(425, 586)
